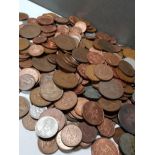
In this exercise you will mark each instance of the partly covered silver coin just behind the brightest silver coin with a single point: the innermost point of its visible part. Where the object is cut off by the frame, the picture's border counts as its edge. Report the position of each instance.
(36, 111)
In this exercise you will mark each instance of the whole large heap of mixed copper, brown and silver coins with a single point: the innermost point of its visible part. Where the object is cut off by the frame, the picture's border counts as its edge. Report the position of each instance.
(80, 83)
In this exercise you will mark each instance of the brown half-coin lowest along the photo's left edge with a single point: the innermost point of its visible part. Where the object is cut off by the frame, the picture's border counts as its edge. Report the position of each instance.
(23, 106)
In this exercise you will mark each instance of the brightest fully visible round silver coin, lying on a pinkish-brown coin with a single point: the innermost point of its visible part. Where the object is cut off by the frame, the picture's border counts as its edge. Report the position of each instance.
(46, 127)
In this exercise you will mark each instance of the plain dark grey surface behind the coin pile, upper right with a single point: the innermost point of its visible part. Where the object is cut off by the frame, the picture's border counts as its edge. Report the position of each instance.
(116, 17)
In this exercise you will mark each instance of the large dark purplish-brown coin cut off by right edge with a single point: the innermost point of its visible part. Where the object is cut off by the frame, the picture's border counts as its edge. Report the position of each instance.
(126, 117)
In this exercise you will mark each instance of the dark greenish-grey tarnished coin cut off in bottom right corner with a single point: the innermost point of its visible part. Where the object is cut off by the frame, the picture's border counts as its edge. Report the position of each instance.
(127, 144)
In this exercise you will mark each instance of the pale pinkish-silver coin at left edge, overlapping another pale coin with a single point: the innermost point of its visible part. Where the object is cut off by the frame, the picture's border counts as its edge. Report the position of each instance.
(26, 82)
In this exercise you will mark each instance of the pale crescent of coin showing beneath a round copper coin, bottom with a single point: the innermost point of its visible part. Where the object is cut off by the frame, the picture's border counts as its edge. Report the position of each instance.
(60, 144)
